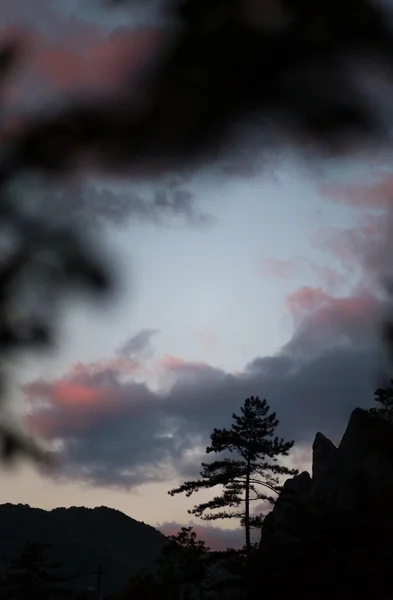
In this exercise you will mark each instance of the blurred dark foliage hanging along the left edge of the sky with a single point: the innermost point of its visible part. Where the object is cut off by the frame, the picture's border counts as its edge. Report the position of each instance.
(54, 261)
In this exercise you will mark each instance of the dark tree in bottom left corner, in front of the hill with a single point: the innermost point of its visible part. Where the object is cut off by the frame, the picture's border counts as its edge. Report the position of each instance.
(32, 576)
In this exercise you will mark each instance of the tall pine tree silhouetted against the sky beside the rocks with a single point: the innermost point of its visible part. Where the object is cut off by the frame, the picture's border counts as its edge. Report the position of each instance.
(253, 476)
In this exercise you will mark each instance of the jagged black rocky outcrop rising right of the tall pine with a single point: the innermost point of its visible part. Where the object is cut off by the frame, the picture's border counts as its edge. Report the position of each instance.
(331, 535)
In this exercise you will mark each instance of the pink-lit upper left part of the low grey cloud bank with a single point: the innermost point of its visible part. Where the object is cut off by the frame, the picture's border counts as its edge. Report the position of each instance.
(92, 393)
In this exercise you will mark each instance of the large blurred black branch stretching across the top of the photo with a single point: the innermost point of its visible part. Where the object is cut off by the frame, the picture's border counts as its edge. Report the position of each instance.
(221, 70)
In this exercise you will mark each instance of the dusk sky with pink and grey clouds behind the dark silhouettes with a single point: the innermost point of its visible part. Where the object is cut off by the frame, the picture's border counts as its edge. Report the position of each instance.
(261, 274)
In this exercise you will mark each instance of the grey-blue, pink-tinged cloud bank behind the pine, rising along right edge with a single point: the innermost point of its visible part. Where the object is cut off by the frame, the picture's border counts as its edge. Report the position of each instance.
(114, 429)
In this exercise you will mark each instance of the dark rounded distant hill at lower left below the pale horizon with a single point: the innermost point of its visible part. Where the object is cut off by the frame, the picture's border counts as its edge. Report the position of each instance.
(82, 538)
